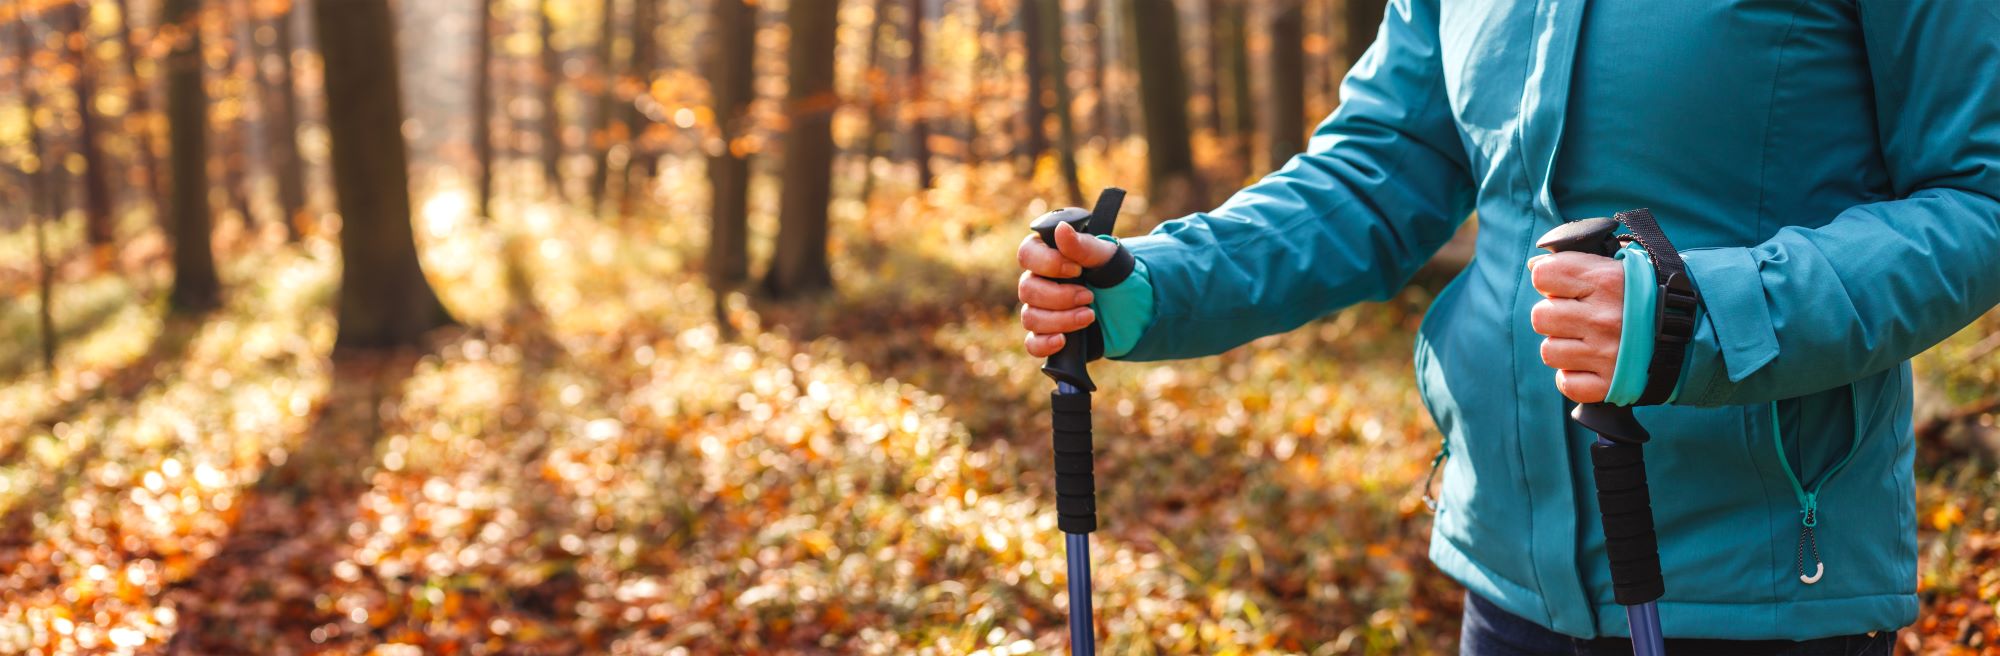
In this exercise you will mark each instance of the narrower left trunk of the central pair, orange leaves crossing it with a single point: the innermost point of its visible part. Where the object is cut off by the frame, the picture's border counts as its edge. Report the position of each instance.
(733, 79)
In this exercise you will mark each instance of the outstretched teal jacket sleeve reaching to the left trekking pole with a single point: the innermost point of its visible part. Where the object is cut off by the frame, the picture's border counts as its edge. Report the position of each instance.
(1381, 187)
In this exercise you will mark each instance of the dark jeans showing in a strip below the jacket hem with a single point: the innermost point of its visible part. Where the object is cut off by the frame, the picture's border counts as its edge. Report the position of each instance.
(1491, 631)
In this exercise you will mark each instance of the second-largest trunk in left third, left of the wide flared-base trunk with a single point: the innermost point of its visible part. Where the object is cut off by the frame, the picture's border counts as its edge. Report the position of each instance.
(187, 125)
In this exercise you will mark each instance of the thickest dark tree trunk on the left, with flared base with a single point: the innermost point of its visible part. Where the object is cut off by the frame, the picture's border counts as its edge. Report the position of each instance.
(385, 301)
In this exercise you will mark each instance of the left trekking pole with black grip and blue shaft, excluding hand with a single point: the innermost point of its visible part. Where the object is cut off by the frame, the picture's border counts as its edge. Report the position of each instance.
(1077, 503)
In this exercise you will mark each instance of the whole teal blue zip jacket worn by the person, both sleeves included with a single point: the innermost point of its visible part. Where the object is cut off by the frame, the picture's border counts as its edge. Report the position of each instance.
(1833, 173)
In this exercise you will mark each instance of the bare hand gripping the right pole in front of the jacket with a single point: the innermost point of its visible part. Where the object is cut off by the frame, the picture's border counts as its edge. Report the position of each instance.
(1579, 317)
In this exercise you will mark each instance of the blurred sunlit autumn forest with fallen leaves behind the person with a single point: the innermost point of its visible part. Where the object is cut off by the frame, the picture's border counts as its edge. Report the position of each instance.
(687, 327)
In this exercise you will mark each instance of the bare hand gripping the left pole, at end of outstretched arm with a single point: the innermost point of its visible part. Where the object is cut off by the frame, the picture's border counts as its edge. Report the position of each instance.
(1051, 309)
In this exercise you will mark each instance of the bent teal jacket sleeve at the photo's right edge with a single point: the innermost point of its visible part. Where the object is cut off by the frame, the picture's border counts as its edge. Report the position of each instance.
(1825, 307)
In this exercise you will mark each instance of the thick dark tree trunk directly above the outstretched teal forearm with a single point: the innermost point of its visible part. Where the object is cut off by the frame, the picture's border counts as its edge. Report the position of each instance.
(1165, 93)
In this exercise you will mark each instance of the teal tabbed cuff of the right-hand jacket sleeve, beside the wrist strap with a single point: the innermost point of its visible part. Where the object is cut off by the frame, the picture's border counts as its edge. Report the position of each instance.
(1733, 331)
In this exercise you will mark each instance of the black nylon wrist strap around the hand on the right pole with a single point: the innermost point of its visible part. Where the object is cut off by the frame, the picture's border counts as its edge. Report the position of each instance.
(1677, 307)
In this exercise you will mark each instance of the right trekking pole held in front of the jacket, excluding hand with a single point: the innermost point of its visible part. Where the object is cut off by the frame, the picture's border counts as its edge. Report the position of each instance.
(1619, 465)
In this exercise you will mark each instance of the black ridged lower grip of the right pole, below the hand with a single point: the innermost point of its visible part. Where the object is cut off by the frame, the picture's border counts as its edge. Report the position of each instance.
(1627, 509)
